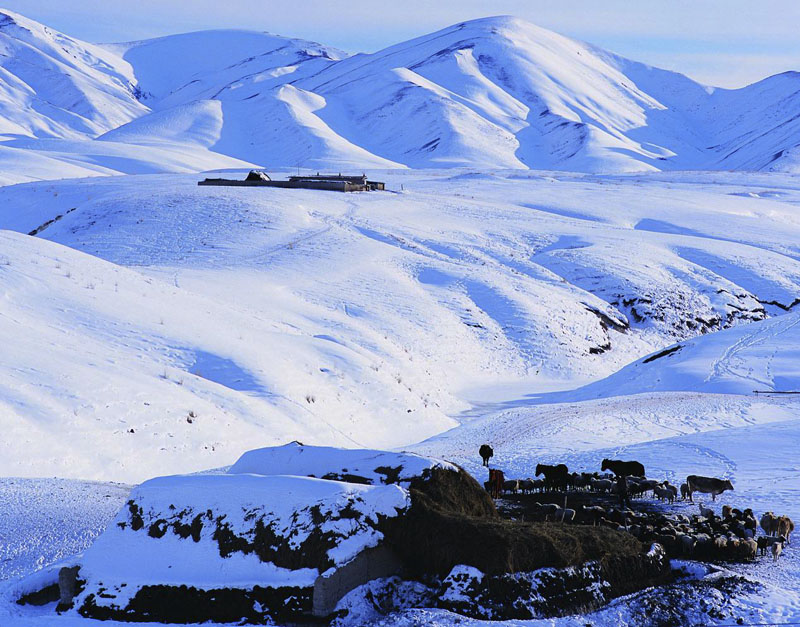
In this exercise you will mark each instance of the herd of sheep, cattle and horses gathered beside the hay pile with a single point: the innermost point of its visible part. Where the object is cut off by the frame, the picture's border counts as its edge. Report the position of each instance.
(604, 497)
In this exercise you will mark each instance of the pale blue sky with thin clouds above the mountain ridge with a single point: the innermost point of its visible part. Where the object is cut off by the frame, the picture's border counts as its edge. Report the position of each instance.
(721, 42)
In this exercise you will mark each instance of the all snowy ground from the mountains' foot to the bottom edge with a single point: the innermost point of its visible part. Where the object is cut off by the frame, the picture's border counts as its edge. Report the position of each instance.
(154, 327)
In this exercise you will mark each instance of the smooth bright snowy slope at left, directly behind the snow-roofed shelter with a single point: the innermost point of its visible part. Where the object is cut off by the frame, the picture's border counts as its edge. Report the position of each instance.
(107, 372)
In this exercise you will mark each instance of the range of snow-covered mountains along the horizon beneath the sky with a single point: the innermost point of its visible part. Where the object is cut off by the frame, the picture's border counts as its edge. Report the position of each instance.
(490, 93)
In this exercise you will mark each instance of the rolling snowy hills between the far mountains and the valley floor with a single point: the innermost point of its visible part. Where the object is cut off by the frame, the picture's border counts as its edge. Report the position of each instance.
(367, 319)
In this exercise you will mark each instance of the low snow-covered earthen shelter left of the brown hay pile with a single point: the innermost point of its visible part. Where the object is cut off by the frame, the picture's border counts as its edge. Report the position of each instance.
(260, 536)
